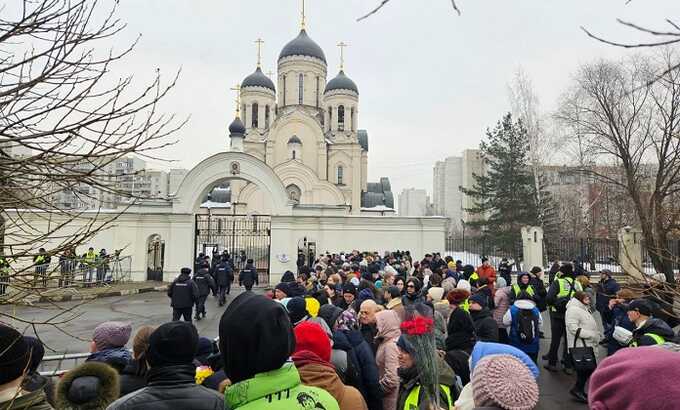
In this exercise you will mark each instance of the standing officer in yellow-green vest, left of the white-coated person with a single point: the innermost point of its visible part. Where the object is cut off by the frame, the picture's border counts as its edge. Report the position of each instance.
(559, 294)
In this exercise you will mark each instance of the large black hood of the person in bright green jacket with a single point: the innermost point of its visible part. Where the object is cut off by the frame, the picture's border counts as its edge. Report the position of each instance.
(255, 336)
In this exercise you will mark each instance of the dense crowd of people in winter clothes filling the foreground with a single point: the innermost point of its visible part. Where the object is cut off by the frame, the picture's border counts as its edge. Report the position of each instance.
(368, 331)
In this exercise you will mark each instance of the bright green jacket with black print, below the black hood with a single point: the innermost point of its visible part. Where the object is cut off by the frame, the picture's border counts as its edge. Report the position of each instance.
(277, 390)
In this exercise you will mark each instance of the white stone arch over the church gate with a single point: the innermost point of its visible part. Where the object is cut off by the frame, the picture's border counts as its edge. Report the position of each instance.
(218, 168)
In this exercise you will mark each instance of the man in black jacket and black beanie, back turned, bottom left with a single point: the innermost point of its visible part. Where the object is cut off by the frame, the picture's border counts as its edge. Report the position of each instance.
(171, 379)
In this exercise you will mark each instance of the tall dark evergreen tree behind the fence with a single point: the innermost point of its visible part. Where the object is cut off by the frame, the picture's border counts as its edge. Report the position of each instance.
(505, 196)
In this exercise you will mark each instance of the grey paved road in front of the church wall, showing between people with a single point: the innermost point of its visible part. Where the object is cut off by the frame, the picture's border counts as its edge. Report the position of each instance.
(153, 308)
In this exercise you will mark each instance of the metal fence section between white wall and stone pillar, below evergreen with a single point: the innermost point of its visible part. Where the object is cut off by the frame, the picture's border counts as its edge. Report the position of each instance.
(471, 250)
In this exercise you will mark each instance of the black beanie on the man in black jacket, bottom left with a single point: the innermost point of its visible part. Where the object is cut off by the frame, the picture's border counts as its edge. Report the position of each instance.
(173, 343)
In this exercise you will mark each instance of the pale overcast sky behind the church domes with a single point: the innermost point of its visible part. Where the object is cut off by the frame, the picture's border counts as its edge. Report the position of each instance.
(430, 82)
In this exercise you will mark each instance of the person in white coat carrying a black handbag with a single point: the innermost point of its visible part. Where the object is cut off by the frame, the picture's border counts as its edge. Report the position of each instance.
(579, 315)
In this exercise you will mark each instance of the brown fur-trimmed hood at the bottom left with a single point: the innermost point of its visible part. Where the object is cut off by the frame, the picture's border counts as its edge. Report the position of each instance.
(90, 386)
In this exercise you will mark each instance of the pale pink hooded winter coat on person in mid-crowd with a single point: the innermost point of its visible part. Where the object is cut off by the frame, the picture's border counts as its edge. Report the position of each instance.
(387, 356)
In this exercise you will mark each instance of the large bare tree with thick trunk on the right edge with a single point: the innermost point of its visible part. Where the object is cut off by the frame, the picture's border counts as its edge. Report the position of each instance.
(635, 127)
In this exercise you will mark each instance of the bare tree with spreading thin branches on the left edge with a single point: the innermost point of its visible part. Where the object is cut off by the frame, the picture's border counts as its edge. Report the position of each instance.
(63, 106)
